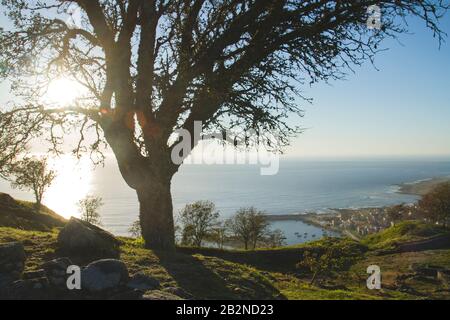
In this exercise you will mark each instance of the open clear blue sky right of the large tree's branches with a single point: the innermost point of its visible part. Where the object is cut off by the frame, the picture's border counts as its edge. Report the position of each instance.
(401, 110)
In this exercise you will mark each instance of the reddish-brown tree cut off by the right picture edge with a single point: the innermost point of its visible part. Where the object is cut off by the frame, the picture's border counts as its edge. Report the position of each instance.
(436, 204)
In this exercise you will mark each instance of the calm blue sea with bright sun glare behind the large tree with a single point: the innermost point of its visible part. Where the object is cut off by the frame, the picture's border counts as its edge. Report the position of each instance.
(300, 186)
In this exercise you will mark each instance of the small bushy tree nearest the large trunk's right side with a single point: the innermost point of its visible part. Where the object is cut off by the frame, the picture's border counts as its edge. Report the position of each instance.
(198, 220)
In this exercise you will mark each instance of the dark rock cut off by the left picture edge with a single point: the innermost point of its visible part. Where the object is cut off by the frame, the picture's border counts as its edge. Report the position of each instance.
(12, 258)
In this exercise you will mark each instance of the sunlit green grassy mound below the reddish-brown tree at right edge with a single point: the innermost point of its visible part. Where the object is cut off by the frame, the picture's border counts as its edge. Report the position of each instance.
(403, 232)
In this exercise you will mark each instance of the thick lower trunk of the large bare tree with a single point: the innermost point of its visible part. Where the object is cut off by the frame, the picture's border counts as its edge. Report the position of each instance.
(156, 216)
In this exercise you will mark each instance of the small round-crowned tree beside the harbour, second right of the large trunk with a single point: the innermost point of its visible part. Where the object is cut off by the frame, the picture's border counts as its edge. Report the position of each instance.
(249, 226)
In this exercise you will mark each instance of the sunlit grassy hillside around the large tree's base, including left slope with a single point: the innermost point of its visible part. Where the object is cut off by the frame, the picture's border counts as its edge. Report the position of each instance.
(261, 274)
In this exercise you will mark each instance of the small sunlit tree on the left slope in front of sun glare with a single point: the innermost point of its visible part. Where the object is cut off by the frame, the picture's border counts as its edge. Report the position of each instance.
(33, 174)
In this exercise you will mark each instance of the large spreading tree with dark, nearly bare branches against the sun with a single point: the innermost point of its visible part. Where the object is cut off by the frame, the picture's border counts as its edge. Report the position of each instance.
(150, 67)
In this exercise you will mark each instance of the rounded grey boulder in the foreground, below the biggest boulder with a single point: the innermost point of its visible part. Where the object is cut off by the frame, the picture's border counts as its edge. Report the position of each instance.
(104, 275)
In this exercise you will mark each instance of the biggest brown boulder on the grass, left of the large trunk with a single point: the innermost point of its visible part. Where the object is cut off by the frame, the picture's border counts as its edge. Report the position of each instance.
(80, 237)
